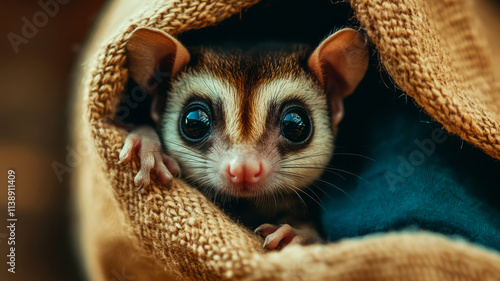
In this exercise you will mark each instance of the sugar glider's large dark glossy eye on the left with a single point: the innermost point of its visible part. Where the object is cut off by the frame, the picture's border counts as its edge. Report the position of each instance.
(195, 122)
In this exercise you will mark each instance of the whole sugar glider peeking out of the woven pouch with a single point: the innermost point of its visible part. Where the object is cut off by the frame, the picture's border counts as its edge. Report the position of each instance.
(249, 121)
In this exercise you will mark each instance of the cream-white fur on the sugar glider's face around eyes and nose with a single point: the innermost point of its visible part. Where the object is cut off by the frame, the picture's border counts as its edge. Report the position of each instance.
(284, 174)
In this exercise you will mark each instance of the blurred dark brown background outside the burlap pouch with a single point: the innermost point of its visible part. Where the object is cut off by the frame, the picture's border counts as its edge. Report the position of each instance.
(35, 90)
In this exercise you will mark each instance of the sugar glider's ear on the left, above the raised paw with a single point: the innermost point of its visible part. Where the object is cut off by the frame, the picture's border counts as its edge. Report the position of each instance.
(153, 57)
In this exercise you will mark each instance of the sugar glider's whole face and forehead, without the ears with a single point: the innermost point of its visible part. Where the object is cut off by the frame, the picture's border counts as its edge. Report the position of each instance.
(248, 123)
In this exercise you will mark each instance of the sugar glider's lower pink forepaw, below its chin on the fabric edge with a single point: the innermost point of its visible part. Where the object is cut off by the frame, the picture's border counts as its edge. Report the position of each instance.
(278, 237)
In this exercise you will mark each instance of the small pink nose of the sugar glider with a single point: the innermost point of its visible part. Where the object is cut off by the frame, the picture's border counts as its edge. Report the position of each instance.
(248, 171)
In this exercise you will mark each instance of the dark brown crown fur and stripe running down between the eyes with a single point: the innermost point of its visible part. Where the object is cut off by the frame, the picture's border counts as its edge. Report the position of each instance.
(248, 69)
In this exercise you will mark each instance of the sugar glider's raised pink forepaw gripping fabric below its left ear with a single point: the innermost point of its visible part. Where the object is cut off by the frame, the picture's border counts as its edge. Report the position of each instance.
(144, 143)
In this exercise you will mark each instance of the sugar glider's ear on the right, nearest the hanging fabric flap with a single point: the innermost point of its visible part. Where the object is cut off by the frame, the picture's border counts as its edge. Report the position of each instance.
(339, 63)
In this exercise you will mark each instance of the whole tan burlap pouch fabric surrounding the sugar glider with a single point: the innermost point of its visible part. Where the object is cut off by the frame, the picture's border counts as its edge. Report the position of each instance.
(433, 52)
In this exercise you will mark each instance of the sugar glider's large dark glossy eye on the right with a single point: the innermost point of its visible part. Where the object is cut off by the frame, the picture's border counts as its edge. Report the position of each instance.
(296, 125)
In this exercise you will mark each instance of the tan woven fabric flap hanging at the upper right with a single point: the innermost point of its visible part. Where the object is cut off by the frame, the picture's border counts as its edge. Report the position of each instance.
(434, 53)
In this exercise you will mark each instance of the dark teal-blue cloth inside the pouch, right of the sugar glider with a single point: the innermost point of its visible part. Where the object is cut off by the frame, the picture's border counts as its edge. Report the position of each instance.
(420, 177)
